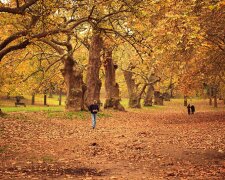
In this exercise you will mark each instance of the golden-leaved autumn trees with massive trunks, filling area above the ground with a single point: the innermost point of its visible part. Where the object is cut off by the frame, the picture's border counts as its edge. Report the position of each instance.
(139, 47)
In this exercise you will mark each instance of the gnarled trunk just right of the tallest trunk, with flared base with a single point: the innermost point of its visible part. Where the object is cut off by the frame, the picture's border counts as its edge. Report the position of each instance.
(111, 87)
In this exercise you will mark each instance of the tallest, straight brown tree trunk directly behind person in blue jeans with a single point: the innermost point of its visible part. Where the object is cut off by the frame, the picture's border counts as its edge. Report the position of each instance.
(93, 81)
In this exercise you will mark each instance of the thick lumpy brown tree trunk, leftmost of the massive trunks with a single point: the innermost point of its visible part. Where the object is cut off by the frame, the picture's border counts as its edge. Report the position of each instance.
(74, 82)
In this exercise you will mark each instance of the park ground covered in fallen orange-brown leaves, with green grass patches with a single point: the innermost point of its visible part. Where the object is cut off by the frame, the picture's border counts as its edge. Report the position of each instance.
(150, 143)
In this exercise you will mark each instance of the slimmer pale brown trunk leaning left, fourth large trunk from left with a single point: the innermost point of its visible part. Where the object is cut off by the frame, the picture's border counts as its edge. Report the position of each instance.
(134, 98)
